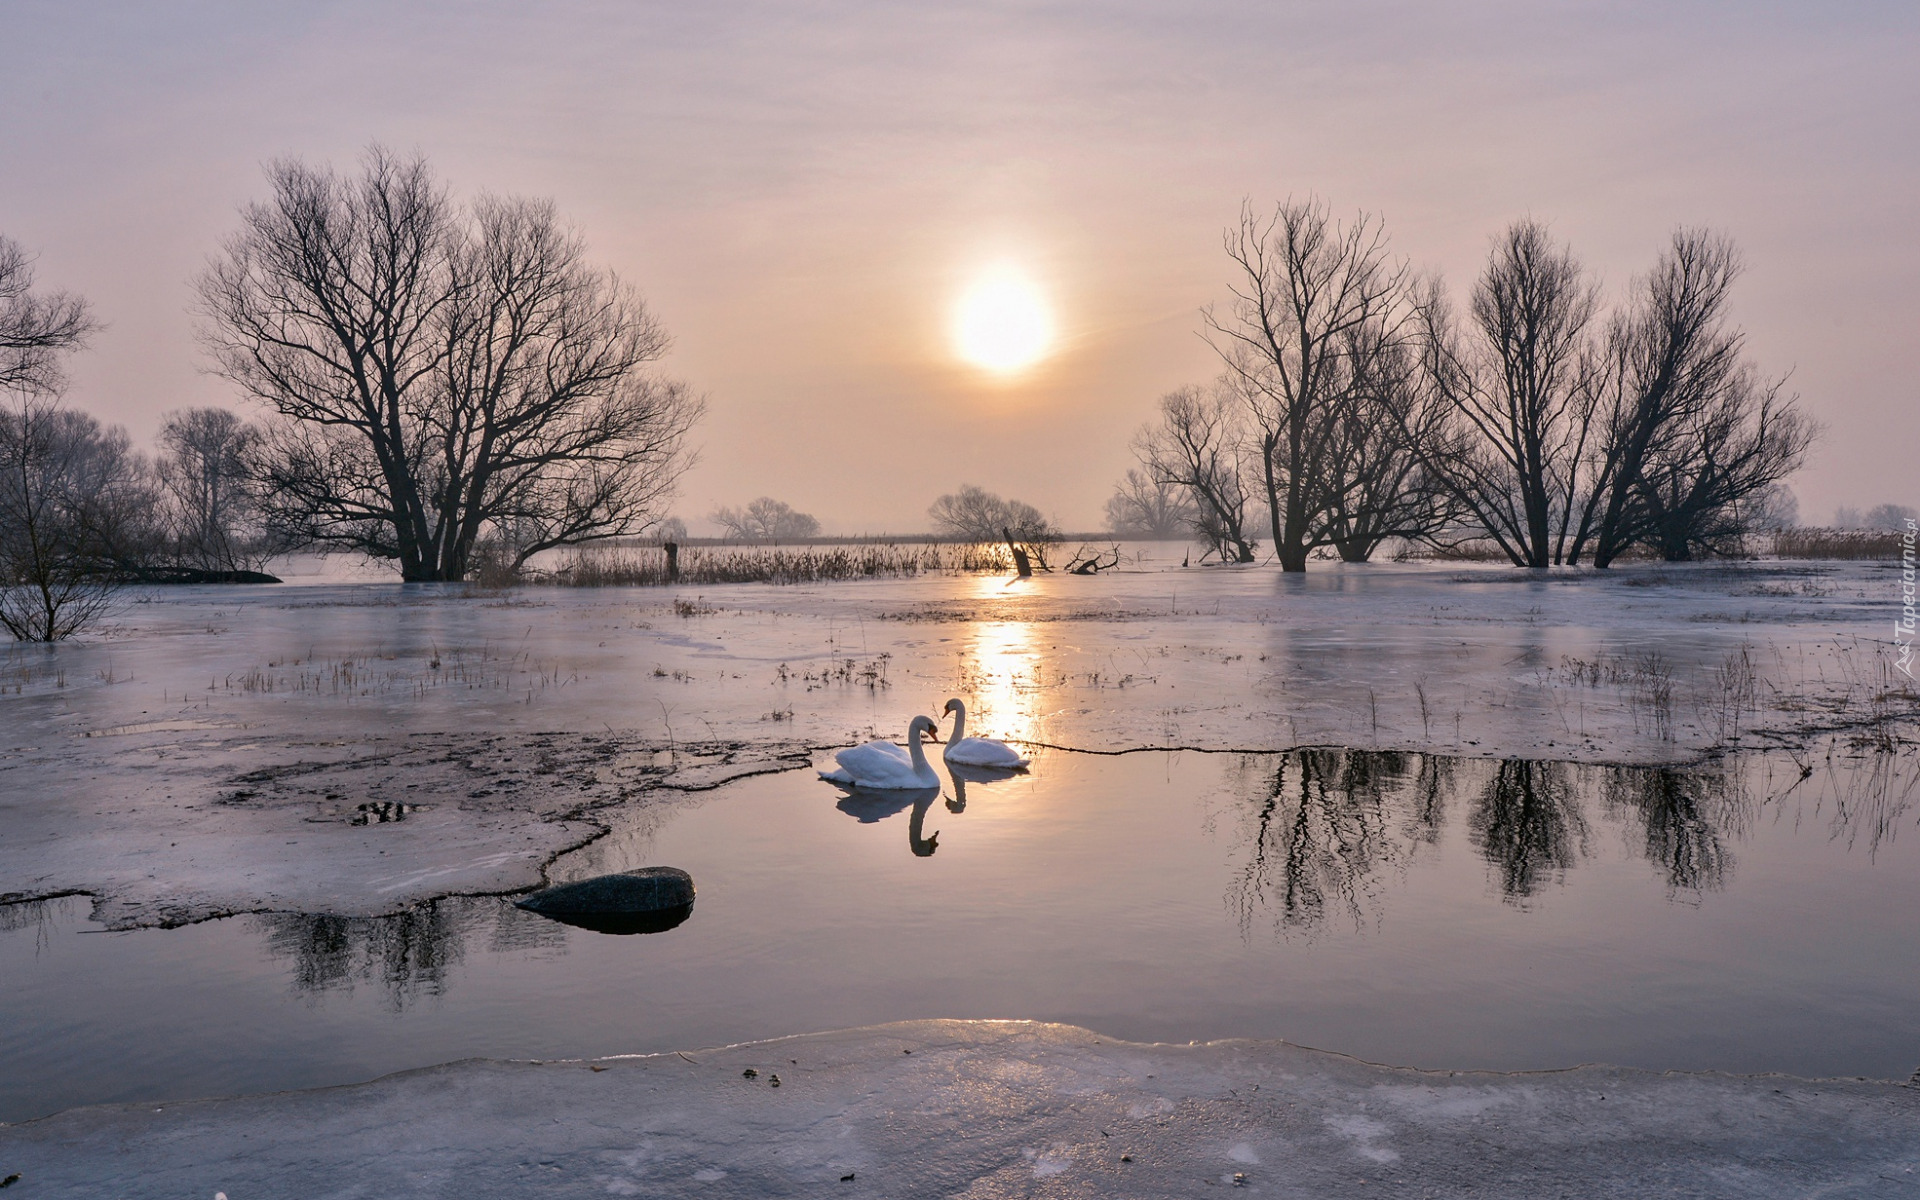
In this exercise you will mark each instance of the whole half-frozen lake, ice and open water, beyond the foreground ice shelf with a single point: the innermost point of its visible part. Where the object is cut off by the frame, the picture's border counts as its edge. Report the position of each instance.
(1656, 819)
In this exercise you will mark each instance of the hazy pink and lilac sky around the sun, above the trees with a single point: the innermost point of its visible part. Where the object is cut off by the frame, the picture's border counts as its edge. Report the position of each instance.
(802, 191)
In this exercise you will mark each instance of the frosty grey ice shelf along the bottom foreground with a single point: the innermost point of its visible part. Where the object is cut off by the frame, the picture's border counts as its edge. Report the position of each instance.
(992, 1109)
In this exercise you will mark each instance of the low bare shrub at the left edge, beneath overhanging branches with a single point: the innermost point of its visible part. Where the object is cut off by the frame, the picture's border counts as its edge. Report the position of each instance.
(76, 517)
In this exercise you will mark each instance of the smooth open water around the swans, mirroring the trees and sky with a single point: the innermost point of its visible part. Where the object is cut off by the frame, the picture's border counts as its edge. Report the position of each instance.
(1758, 915)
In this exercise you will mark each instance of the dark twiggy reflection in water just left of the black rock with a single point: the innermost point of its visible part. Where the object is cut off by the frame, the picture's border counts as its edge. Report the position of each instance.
(406, 955)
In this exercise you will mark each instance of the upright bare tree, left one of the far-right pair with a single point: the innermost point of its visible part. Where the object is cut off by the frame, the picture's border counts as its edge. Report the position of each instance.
(1520, 387)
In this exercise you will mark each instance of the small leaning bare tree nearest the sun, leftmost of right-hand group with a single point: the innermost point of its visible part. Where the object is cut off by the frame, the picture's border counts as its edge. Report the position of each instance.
(1199, 446)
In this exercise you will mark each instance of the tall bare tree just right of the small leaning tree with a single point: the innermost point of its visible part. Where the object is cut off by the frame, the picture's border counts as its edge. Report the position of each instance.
(1312, 300)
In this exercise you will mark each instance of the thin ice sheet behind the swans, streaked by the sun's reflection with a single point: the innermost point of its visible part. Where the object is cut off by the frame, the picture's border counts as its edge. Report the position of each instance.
(199, 756)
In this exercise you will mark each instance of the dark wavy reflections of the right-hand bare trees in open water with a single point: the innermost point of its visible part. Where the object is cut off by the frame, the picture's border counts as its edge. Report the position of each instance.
(1322, 830)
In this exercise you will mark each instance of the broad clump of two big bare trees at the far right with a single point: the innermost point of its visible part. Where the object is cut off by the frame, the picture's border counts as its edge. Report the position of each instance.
(1570, 439)
